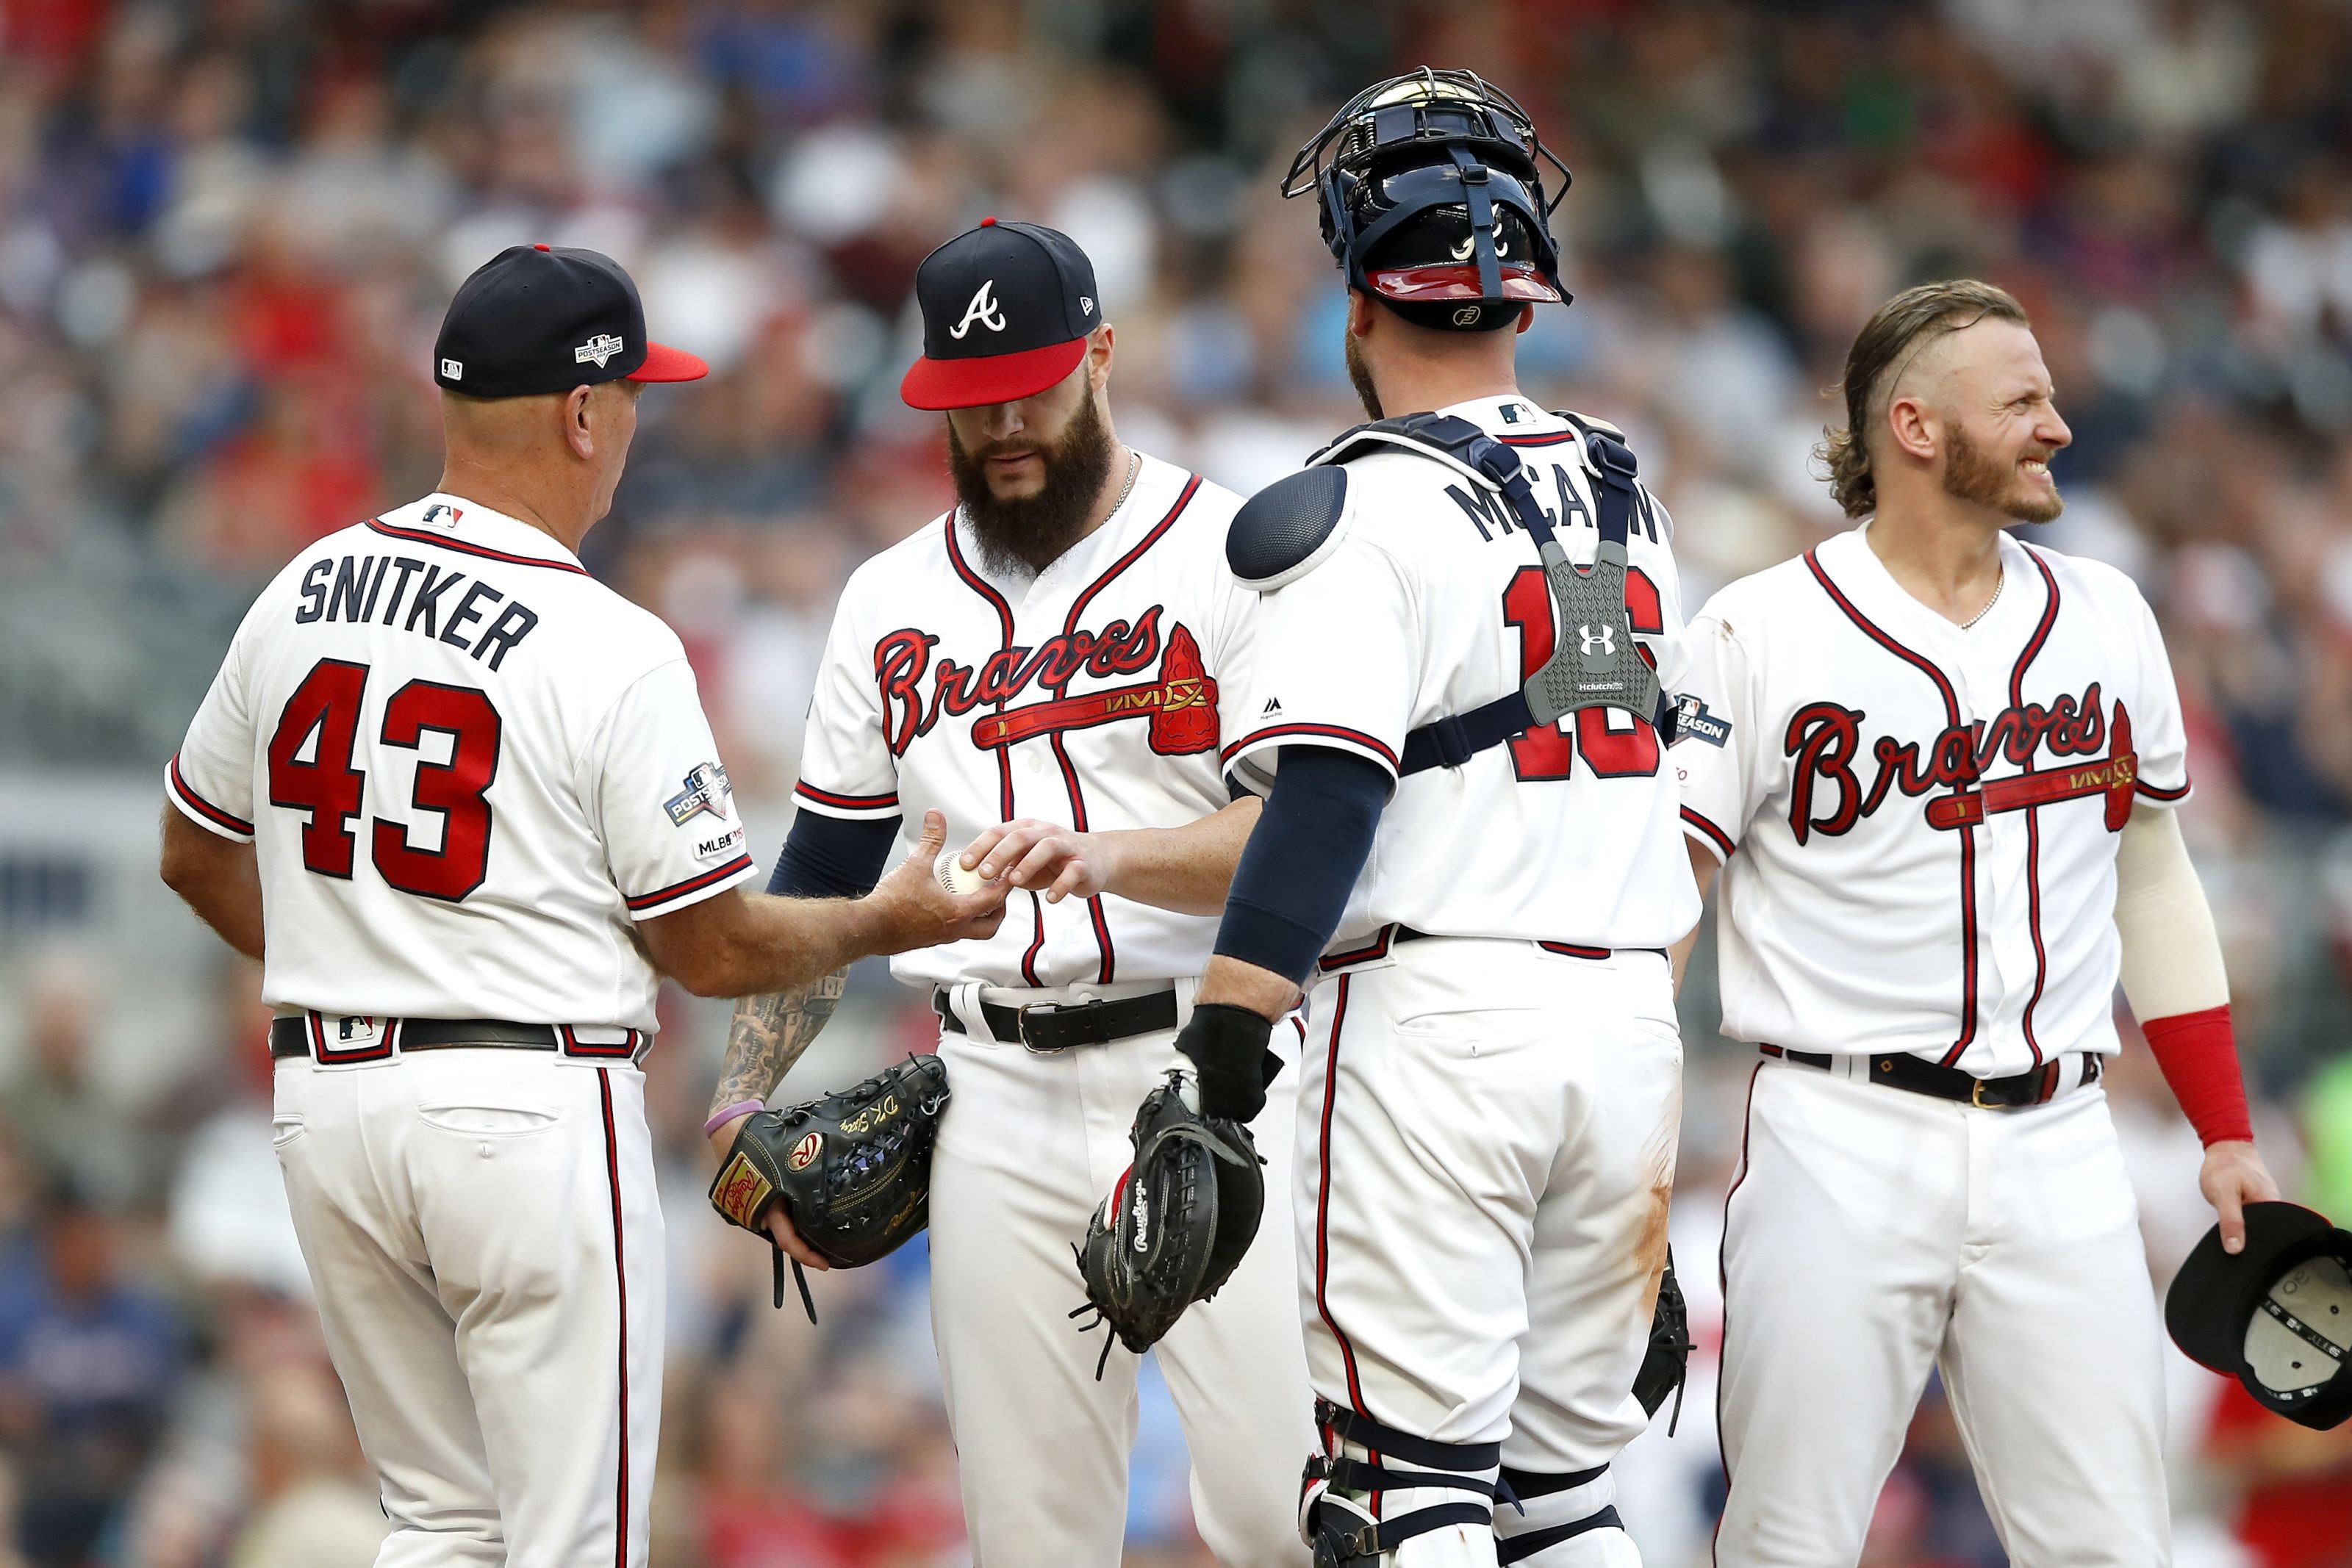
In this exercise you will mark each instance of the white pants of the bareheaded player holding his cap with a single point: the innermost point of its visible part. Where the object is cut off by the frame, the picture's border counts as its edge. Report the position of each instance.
(1873, 1235)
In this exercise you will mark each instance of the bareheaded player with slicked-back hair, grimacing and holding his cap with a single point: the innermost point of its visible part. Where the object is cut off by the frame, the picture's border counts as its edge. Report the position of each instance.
(1935, 768)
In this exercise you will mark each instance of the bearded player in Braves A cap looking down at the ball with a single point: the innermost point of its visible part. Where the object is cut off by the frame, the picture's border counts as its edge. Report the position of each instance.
(1050, 666)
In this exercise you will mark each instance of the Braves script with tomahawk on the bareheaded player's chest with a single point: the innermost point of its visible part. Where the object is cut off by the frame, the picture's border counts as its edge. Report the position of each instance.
(1826, 744)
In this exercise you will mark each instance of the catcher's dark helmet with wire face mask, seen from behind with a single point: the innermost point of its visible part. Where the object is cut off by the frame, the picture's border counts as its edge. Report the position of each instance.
(1434, 201)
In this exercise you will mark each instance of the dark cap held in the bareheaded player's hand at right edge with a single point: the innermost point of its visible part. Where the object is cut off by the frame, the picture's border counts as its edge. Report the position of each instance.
(2278, 1315)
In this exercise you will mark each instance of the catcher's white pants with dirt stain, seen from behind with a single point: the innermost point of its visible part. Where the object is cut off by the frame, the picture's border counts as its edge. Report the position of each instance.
(1485, 1165)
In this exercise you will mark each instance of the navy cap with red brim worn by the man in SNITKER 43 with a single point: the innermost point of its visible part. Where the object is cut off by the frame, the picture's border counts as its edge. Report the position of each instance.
(540, 319)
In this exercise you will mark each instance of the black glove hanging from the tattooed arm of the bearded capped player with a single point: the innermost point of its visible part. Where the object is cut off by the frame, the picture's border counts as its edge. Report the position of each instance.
(853, 1170)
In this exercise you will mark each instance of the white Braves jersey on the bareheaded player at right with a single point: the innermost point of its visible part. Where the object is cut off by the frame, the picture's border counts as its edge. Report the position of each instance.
(1925, 817)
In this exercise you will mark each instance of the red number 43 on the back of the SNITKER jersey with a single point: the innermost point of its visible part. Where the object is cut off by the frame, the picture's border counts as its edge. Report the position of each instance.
(333, 789)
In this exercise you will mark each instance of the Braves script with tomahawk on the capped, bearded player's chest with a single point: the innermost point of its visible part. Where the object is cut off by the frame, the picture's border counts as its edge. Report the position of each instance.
(1182, 704)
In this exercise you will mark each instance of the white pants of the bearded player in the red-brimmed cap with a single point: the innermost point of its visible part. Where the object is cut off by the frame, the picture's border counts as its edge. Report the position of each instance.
(1031, 1144)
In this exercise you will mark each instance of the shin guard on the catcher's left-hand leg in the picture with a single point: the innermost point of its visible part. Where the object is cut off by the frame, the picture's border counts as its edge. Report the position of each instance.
(1372, 1489)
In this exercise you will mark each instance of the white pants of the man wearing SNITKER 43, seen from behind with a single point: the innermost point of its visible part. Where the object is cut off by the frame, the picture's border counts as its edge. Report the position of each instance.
(483, 1233)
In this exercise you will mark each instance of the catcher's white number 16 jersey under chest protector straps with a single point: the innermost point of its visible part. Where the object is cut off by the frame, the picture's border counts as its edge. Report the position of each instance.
(1431, 605)
